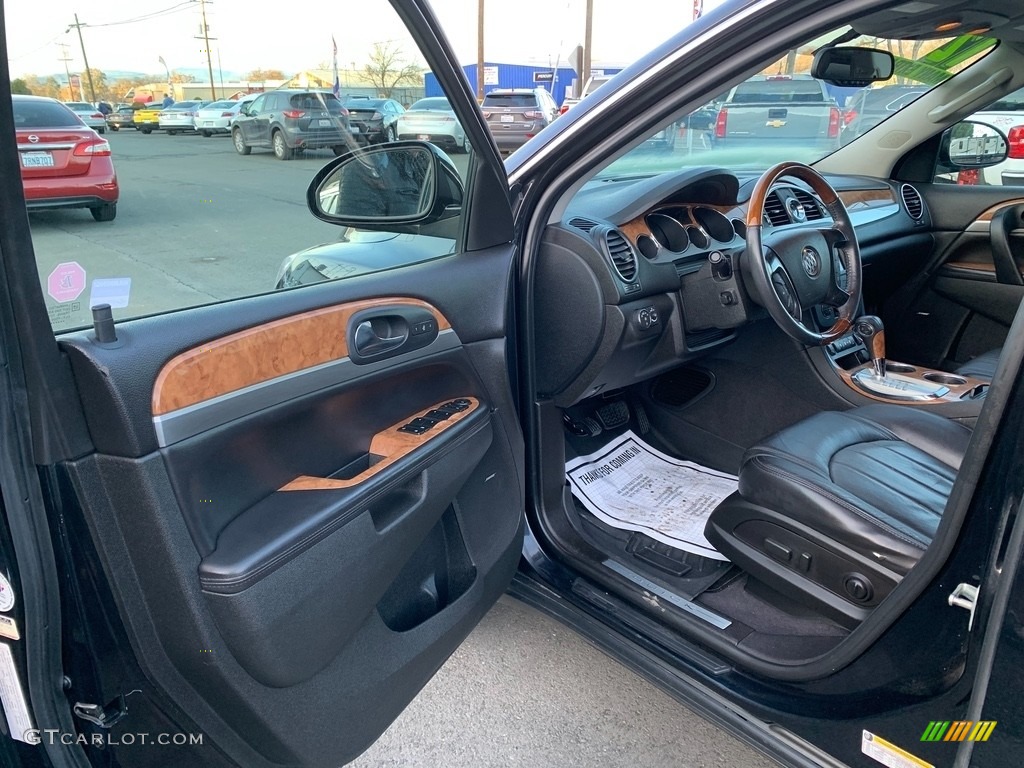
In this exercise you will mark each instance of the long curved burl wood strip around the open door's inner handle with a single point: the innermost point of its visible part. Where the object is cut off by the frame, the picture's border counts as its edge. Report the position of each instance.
(258, 355)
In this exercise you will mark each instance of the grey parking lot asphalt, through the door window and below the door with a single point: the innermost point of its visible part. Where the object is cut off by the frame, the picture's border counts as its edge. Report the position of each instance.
(198, 224)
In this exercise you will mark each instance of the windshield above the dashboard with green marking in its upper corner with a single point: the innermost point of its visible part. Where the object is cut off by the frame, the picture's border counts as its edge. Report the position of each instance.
(783, 113)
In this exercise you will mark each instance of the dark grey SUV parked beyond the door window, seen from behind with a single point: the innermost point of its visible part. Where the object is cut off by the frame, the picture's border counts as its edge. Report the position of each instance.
(289, 121)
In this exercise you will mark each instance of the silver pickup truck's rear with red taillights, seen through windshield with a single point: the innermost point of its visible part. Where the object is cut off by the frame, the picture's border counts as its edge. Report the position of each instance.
(771, 111)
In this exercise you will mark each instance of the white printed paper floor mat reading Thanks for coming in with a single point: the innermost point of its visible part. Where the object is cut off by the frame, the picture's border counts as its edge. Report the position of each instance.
(631, 486)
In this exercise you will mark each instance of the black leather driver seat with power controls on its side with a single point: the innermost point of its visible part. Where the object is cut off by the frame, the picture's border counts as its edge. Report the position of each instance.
(835, 510)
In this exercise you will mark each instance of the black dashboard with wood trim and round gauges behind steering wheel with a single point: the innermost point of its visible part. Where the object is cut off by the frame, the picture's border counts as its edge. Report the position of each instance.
(643, 274)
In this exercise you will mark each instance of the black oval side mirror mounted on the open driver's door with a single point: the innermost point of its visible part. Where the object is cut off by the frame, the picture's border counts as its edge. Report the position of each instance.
(383, 187)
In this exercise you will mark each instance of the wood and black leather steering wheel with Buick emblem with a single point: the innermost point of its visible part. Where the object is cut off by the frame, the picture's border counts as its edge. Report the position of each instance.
(800, 268)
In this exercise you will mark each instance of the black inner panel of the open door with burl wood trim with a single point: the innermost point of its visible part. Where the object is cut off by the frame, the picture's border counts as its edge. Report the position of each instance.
(285, 527)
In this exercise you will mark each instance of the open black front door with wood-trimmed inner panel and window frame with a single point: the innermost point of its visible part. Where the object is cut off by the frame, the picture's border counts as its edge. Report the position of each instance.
(271, 519)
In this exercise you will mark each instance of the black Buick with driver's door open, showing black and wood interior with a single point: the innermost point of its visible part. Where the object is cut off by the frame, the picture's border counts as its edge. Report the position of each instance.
(749, 420)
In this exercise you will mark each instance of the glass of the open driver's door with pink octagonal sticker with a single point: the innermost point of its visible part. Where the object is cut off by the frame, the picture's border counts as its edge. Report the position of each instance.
(152, 223)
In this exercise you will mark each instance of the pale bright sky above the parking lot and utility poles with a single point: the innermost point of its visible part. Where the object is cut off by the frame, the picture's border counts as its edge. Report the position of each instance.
(133, 35)
